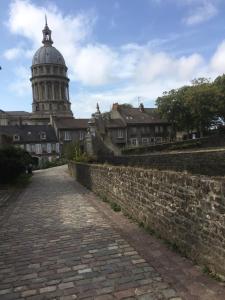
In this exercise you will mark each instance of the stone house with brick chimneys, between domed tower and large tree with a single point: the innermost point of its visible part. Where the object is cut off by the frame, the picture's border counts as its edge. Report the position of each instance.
(126, 126)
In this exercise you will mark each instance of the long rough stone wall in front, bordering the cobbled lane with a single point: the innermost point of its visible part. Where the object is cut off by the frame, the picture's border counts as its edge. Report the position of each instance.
(188, 211)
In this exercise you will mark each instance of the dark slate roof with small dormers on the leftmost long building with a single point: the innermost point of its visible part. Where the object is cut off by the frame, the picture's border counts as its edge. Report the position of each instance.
(30, 133)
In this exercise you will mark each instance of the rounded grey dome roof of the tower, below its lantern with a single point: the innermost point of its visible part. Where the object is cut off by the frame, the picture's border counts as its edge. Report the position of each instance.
(48, 55)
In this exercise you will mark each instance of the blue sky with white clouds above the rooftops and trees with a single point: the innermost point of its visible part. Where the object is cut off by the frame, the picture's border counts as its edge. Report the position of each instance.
(126, 51)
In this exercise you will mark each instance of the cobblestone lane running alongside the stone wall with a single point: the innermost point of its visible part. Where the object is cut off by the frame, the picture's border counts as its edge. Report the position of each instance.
(60, 242)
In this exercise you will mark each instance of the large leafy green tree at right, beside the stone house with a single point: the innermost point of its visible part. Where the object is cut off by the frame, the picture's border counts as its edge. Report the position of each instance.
(198, 107)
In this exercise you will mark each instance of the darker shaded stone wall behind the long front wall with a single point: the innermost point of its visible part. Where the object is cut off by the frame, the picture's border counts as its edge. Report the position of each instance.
(205, 162)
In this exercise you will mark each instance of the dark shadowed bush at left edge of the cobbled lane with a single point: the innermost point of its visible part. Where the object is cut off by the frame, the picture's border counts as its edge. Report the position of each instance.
(13, 163)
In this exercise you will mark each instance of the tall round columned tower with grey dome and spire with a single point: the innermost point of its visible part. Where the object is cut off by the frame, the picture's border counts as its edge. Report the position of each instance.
(50, 83)
